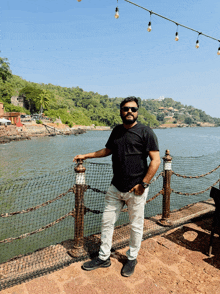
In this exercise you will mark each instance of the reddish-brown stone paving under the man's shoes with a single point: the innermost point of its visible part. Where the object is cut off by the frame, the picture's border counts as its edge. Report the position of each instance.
(174, 262)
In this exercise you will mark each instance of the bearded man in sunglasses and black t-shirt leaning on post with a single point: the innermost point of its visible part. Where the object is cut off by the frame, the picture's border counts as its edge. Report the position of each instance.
(130, 144)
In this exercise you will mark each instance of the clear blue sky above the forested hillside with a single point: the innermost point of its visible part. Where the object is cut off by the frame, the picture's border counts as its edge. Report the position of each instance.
(70, 43)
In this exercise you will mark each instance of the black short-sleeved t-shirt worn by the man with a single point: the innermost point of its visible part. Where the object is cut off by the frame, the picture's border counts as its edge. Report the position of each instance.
(130, 149)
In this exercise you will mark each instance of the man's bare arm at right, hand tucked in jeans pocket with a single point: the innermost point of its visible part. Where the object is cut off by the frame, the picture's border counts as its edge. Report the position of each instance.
(152, 169)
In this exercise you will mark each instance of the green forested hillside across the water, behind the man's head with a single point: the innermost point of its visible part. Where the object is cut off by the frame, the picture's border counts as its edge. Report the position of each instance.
(75, 106)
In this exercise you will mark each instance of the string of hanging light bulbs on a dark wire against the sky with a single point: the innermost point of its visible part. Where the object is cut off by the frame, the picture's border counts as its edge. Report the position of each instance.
(178, 24)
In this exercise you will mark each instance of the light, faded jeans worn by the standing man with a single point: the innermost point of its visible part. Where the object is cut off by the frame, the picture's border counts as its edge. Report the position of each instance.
(114, 201)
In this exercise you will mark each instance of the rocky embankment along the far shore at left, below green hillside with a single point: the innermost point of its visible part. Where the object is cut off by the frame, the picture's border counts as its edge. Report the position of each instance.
(26, 132)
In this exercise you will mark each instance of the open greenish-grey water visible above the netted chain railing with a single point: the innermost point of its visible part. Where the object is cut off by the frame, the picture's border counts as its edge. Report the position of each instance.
(41, 155)
